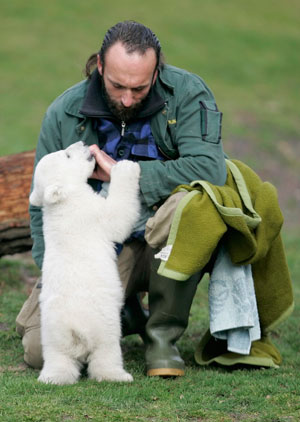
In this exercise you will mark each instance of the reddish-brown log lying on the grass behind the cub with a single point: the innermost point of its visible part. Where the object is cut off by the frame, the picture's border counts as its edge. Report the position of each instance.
(15, 181)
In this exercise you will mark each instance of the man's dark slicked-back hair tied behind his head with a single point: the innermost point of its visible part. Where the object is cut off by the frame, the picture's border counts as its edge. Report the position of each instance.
(135, 37)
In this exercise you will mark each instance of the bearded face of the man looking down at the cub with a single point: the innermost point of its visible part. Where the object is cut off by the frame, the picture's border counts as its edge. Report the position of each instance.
(127, 79)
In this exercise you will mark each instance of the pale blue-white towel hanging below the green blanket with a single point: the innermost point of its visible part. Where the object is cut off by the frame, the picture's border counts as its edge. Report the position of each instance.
(232, 304)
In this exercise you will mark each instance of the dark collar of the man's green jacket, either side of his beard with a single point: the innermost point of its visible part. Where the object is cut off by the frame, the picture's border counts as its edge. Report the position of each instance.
(94, 104)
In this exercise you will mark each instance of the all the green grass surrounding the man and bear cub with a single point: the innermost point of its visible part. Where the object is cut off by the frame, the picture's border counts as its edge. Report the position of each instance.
(248, 53)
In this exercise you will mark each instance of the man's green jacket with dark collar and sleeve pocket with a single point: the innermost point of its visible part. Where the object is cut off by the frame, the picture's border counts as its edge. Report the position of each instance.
(187, 130)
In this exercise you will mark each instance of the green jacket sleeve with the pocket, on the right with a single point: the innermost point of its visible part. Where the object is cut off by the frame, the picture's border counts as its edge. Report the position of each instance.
(197, 139)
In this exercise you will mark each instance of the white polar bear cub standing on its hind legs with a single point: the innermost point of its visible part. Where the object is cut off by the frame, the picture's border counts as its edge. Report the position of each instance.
(81, 295)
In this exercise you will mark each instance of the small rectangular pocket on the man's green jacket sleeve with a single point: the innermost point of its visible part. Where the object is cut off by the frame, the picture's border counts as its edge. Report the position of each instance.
(211, 122)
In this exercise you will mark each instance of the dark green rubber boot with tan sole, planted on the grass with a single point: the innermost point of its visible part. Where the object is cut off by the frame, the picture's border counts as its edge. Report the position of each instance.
(169, 308)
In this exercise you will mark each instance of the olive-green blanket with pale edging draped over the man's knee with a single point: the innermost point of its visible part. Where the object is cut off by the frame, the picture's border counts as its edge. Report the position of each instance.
(245, 215)
